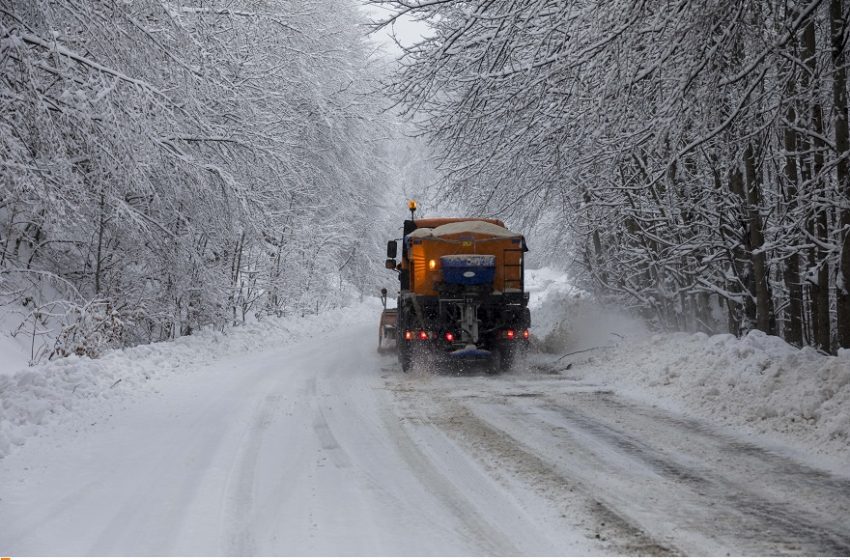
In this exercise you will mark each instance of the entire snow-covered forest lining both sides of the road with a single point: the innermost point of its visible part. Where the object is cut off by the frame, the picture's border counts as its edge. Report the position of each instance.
(169, 165)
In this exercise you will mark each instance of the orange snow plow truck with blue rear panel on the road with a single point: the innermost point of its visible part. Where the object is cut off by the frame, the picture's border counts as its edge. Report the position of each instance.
(462, 293)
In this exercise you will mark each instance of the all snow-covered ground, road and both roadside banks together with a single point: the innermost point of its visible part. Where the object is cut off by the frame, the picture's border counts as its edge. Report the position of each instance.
(294, 436)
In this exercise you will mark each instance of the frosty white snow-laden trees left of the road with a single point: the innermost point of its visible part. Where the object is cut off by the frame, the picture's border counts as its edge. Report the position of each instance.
(166, 166)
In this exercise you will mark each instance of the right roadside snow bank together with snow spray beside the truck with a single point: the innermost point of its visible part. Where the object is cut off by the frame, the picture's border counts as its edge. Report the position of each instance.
(758, 384)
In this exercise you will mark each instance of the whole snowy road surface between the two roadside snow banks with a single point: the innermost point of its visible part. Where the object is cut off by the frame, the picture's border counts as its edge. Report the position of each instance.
(324, 447)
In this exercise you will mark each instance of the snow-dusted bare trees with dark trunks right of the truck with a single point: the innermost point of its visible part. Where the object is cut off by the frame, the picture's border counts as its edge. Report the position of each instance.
(690, 157)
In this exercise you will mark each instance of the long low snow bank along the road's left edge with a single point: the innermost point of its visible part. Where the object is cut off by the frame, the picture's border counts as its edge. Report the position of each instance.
(41, 395)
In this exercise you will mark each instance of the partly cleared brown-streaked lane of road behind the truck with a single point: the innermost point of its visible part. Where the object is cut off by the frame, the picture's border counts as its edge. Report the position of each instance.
(731, 512)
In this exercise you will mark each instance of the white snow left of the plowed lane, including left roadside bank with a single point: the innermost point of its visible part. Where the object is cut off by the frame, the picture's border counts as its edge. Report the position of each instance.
(283, 438)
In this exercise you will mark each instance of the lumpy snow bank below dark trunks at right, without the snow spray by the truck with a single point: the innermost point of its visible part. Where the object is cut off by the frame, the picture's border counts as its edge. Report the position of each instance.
(758, 383)
